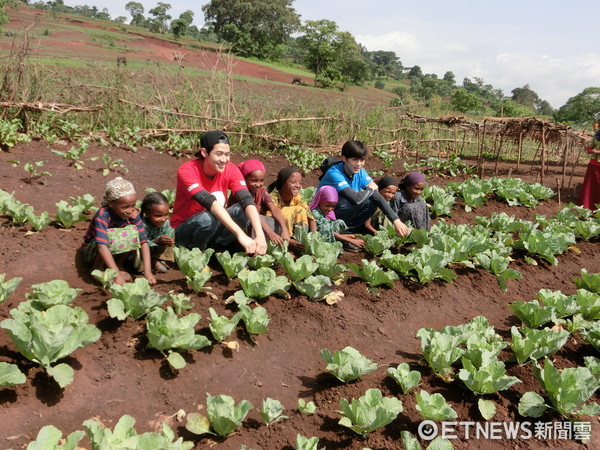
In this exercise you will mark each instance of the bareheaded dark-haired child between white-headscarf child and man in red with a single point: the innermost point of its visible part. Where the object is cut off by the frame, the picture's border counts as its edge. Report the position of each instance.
(155, 216)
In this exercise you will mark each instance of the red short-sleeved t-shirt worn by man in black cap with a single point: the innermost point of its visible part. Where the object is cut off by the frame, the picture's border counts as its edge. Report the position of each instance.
(191, 180)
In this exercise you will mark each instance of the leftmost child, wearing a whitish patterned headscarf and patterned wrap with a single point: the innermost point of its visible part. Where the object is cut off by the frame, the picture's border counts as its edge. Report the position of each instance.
(116, 233)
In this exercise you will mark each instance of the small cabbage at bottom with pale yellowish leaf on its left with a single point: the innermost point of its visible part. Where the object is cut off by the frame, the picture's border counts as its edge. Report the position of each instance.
(222, 415)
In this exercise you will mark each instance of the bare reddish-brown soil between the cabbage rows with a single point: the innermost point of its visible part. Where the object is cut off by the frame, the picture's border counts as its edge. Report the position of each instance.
(118, 375)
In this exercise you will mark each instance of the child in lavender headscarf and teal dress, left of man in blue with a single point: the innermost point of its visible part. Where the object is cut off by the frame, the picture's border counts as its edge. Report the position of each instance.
(322, 206)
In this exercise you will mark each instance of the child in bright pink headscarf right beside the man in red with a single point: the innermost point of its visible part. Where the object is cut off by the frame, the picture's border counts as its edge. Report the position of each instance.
(254, 173)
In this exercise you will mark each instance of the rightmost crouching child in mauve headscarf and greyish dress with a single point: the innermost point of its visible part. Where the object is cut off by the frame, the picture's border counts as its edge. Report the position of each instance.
(409, 205)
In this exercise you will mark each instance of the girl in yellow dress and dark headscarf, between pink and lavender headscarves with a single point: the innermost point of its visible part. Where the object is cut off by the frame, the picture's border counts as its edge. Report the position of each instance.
(285, 193)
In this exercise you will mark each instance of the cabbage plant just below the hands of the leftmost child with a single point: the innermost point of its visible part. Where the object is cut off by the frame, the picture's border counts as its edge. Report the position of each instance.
(133, 299)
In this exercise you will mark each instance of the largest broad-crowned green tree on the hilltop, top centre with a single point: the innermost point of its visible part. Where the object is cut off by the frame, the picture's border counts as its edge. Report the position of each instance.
(257, 28)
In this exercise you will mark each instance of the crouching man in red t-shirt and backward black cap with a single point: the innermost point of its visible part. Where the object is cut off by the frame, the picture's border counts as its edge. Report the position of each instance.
(199, 215)
